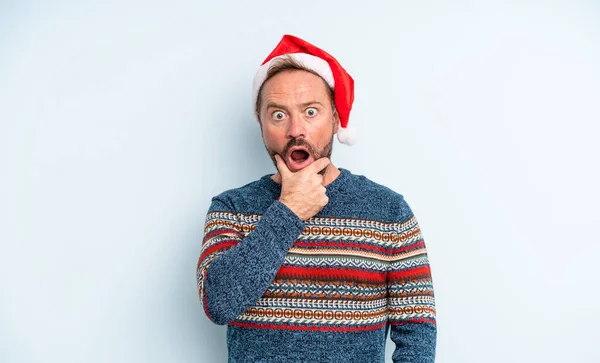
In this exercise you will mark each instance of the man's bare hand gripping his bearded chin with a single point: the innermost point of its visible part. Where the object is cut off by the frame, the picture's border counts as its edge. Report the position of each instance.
(303, 191)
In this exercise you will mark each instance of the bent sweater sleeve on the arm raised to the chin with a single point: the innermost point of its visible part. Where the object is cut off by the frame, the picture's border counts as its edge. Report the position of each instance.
(235, 267)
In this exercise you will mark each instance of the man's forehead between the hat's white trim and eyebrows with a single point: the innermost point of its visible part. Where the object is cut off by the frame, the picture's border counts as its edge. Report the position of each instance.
(295, 85)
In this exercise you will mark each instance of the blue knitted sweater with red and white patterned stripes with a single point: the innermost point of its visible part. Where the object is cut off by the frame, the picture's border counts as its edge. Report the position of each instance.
(325, 290)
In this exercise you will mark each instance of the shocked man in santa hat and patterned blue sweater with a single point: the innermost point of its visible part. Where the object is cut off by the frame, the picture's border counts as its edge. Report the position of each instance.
(314, 263)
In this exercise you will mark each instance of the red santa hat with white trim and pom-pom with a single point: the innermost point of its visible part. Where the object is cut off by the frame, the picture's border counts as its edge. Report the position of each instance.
(323, 64)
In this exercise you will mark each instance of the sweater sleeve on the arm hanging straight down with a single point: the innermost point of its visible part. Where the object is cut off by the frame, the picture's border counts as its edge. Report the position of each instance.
(410, 295)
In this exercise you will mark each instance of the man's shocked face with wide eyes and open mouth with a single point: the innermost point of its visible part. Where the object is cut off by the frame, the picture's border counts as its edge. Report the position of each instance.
(296, 118)
